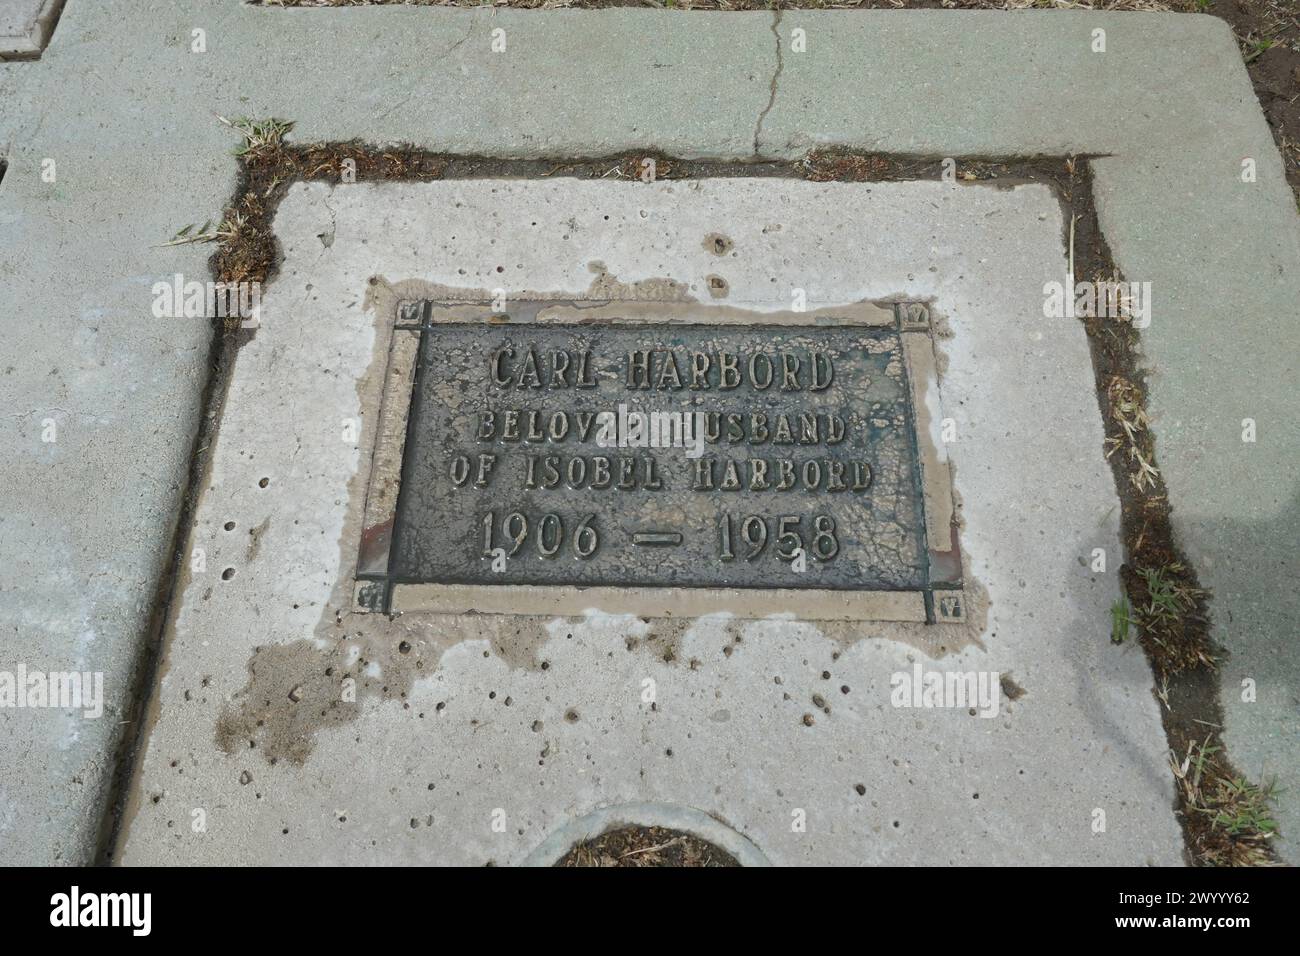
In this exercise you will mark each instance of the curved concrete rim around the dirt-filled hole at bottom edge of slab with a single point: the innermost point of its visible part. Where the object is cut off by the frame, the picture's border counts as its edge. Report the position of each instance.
(647, 815)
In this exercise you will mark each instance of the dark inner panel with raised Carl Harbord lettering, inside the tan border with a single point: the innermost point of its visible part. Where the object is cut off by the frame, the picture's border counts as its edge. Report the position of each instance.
(648, 456)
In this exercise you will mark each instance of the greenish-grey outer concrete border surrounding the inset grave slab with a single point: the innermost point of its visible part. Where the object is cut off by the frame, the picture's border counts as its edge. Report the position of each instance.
(79, 577)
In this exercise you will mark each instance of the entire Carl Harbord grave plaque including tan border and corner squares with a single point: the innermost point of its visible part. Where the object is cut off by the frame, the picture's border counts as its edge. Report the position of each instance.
(640, 458)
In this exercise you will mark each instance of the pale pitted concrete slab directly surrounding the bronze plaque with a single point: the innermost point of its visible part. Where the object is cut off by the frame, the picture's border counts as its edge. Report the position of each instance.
(460, 734)
